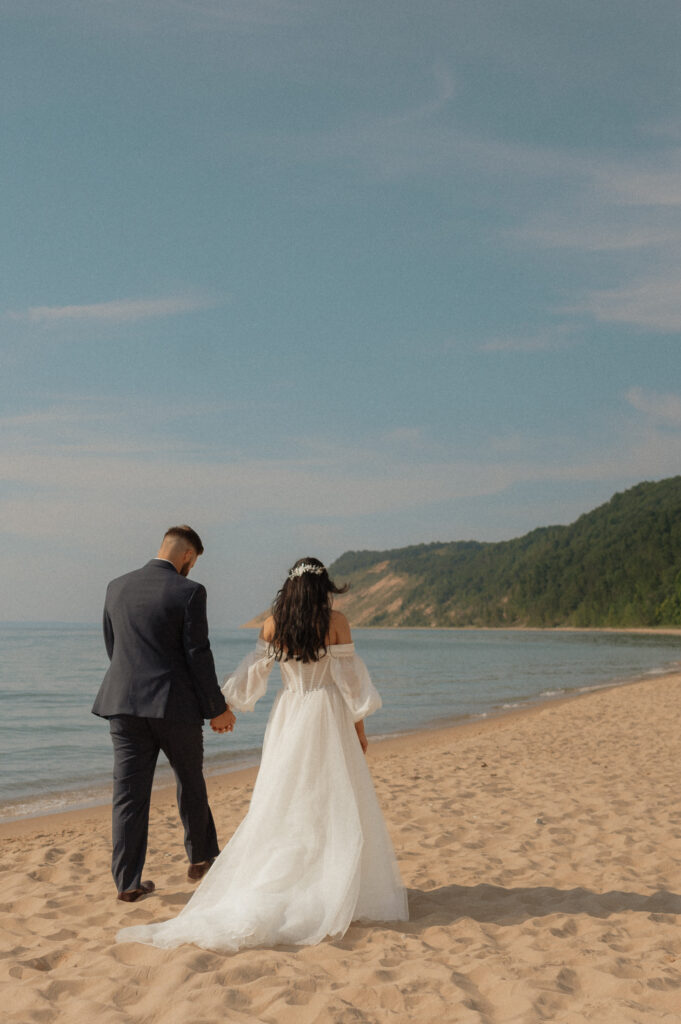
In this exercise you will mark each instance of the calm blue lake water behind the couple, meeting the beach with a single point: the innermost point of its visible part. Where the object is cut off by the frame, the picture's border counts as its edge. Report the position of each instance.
(56, 755)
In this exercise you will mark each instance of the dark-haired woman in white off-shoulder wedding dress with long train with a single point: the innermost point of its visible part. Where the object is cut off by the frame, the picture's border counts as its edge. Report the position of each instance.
(314, 854)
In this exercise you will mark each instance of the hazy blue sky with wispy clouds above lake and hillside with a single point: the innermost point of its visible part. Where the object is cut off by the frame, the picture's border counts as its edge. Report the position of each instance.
(318, 277)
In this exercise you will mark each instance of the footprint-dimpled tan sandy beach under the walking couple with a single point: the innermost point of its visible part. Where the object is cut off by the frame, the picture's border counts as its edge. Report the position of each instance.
(542, 851)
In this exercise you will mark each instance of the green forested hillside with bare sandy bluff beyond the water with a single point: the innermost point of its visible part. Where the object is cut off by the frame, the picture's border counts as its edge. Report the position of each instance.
(619, 566)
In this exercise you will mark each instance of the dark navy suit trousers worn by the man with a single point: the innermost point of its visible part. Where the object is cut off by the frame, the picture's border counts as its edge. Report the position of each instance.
(137, 746)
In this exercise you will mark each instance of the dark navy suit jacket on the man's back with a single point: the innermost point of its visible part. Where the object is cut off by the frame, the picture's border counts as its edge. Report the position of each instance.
(156, 633)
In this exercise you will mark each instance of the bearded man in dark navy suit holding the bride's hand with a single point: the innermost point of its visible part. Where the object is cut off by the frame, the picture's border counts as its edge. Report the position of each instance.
(159, 689)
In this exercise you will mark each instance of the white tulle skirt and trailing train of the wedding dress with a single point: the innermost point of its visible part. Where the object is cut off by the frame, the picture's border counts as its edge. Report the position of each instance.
(313, 854)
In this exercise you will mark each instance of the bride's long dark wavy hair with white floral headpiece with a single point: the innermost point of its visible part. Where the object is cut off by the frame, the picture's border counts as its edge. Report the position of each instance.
(303, 613)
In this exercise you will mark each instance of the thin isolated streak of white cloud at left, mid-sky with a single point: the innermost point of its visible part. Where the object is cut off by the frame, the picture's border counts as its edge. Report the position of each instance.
(117, 312)
